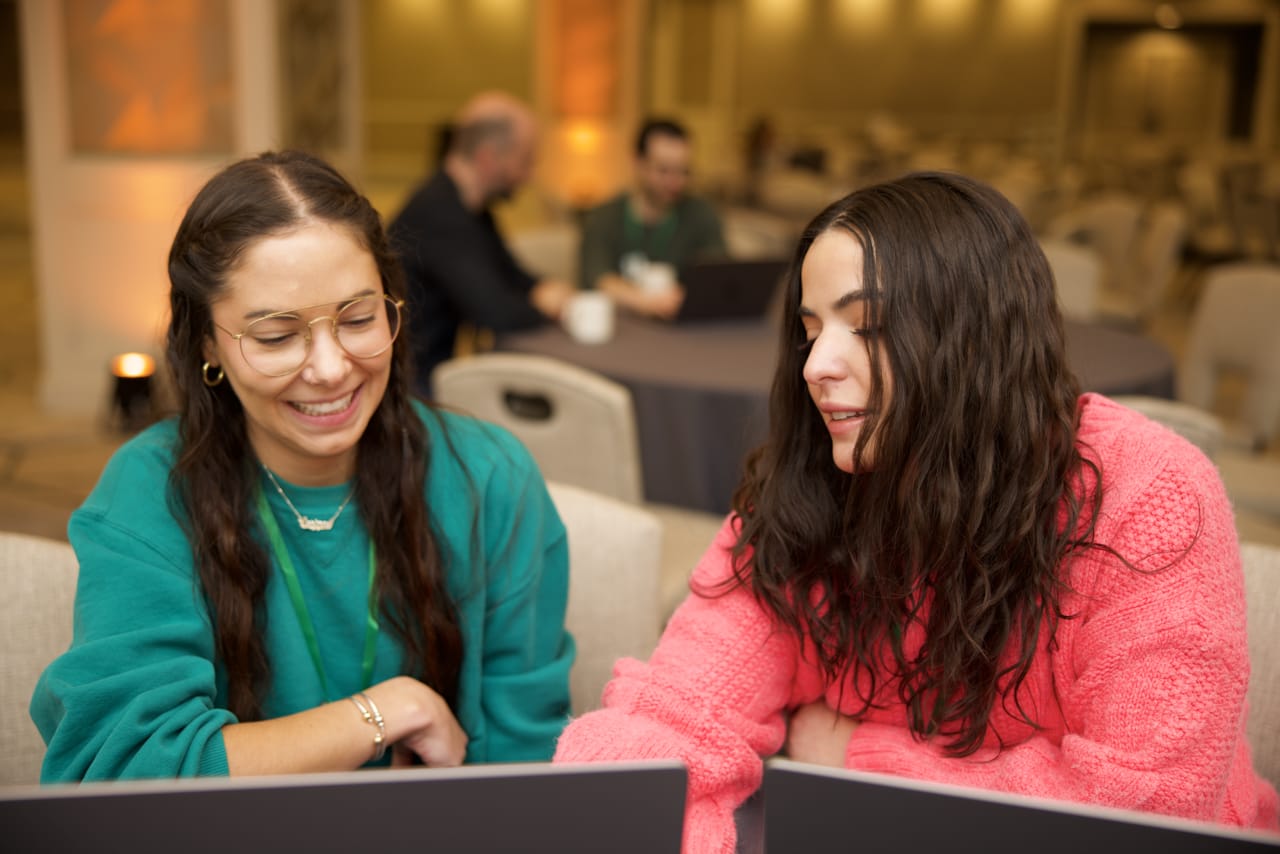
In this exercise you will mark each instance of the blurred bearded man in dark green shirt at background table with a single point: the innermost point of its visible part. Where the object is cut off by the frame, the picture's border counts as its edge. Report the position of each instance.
(636, 244)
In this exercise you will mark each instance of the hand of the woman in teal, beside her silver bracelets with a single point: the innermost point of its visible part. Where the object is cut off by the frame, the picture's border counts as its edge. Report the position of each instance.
(419, 723)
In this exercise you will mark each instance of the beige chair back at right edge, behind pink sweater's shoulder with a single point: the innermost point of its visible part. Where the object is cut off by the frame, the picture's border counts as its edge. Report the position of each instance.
(1263, 596)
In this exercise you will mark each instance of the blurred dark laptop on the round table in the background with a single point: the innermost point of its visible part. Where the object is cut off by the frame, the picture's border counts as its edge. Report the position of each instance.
(730, 290)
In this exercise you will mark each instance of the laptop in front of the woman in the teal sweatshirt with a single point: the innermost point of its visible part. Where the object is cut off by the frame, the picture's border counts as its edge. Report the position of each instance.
(628, 807)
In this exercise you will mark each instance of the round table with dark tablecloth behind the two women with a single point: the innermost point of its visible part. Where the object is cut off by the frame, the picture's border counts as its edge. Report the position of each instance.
(701, 392)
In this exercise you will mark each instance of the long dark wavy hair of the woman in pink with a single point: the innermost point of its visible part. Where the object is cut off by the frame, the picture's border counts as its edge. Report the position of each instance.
(976, 494)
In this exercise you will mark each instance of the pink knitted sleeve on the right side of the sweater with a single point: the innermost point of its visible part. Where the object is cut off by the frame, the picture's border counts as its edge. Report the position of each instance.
(1151, 673)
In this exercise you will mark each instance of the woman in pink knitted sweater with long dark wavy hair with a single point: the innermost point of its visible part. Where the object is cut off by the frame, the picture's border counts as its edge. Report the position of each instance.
(945, 563)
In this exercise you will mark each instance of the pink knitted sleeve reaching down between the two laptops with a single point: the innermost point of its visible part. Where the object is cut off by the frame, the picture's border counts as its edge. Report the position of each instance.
(711, 696)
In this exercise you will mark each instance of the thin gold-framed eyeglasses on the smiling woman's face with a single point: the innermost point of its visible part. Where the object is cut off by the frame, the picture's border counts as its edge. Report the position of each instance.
(278, 344)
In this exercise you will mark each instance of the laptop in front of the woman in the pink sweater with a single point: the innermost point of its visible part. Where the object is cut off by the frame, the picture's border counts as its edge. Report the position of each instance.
(811, 809)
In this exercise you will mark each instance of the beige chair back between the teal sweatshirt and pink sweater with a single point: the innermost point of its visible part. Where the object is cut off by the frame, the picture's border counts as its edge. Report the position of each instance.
(614, 554)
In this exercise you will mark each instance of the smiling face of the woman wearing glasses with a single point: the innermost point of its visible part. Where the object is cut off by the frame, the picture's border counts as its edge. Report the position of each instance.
(305, 426)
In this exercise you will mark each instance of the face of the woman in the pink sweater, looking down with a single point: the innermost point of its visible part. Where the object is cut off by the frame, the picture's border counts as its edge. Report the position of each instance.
(838, 371)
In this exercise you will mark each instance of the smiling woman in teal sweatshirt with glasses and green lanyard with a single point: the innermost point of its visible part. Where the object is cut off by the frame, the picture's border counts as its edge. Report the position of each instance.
(307, 569)
